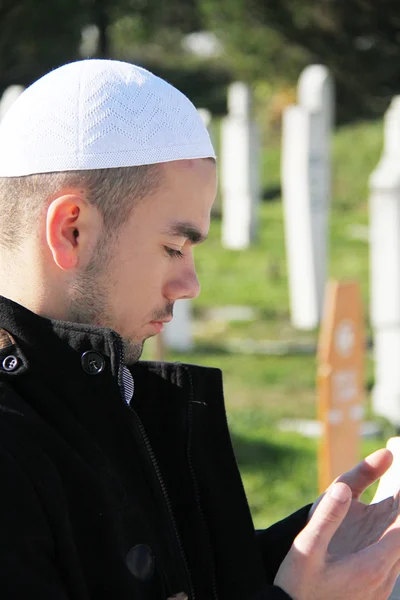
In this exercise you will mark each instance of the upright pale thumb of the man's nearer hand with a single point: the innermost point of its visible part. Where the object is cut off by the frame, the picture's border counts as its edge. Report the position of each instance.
(326, 519)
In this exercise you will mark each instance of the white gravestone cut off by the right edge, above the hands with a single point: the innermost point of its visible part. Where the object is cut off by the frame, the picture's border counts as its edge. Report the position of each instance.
(385, 270)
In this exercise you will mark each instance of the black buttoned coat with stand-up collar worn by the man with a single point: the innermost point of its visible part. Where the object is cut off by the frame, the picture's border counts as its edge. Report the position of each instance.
(100, 500)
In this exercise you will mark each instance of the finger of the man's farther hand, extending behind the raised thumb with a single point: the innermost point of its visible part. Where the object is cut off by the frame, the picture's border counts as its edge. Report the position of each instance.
(367, 471)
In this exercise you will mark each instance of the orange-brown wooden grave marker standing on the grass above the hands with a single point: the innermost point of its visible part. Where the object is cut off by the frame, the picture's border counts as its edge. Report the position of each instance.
(340, 380)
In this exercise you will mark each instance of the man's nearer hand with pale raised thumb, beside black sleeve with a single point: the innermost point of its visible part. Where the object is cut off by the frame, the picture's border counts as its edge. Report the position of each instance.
(311, 571)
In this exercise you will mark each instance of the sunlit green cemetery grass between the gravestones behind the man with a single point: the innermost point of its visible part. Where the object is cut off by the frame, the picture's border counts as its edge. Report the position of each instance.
(269, 368)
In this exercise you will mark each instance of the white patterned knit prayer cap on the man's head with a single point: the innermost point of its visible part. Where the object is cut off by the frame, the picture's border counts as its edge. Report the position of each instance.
(99, 114)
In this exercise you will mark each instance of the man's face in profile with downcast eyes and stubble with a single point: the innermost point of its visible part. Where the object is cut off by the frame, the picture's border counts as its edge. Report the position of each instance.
(150, 265)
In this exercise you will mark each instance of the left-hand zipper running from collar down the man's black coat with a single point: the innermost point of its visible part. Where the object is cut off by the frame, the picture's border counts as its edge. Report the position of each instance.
(154, 463)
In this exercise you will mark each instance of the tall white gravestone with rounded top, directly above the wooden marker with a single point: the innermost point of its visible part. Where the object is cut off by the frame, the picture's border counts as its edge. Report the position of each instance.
(306, 189)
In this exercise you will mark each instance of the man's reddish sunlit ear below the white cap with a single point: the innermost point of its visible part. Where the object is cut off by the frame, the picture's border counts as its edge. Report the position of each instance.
(65, 218)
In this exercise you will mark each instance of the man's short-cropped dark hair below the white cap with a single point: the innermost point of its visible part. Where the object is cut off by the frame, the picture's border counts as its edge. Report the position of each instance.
(114, 192)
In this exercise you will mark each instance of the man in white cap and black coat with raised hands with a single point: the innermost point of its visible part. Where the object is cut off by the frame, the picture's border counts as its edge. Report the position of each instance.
(118, 479)
